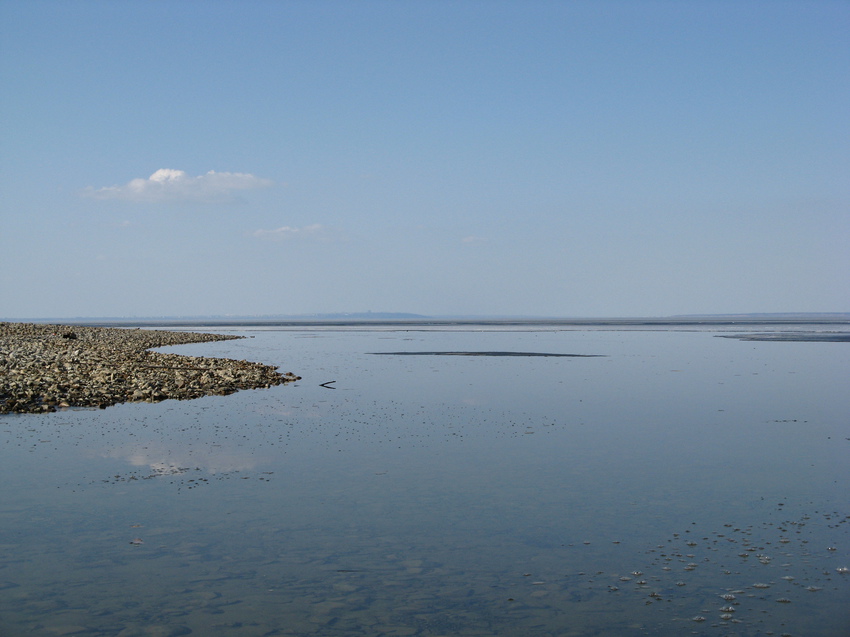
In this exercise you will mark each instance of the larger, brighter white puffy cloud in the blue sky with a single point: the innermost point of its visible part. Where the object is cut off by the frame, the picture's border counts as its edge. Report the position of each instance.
(167, 185)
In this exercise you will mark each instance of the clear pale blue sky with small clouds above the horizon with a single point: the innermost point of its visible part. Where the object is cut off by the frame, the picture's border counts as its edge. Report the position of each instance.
(529, 158)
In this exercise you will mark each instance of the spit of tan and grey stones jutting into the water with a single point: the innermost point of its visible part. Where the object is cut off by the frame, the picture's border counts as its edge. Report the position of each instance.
(46, 367)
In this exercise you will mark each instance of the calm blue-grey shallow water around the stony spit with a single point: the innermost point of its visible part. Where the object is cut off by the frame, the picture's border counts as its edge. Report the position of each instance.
(616, 495)
